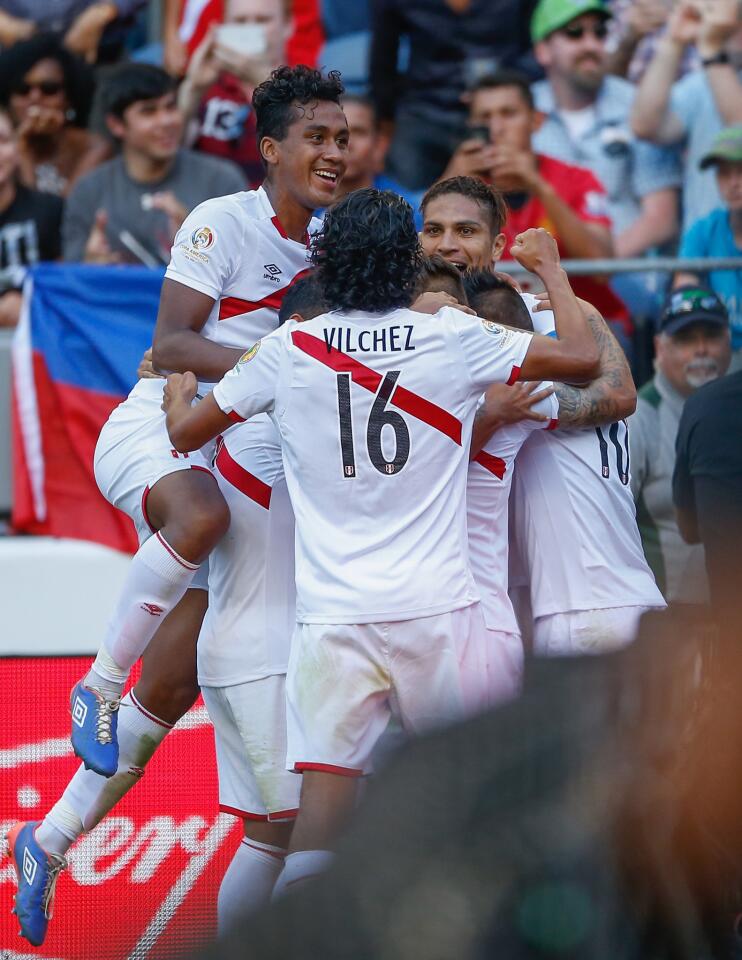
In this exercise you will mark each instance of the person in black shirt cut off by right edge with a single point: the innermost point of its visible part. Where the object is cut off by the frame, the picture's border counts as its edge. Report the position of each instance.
(707, 485)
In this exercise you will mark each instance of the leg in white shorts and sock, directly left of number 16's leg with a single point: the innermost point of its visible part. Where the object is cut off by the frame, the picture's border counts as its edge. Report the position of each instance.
(250, 732)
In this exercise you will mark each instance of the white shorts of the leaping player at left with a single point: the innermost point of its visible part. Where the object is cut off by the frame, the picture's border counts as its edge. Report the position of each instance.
(134, 452)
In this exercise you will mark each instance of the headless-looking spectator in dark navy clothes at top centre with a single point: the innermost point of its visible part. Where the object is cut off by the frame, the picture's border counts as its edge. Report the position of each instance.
(451, 44)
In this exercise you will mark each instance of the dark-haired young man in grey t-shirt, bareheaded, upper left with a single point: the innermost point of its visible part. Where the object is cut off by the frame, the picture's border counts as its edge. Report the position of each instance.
(129, 209)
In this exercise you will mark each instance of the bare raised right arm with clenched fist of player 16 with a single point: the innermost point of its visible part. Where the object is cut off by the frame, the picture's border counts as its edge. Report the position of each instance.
(574, 356)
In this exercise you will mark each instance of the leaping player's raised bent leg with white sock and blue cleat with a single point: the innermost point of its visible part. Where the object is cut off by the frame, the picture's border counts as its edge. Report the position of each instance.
(190, 516)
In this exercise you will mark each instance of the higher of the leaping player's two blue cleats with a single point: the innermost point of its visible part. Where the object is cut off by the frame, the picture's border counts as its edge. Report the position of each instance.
(94, 724)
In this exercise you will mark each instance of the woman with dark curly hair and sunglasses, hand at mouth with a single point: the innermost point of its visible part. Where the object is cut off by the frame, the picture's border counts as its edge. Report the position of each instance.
(48, 92)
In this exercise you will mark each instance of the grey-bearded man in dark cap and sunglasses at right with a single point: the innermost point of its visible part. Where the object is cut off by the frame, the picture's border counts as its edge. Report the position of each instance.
(692, 348)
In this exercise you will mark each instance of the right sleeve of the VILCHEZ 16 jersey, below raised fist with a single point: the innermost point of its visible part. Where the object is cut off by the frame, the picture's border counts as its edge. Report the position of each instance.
(492, 353)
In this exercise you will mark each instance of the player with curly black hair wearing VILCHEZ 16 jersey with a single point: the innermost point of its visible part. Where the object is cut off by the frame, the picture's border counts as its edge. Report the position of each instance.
(376, 472)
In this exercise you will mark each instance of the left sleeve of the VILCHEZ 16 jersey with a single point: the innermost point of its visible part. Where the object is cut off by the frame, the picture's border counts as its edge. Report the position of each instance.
(250, 387)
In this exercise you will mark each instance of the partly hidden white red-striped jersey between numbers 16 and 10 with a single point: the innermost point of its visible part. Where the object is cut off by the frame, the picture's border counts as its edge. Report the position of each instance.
(487, 493)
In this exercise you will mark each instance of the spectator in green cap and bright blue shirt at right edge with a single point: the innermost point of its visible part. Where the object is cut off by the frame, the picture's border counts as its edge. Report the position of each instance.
(719, 234)
